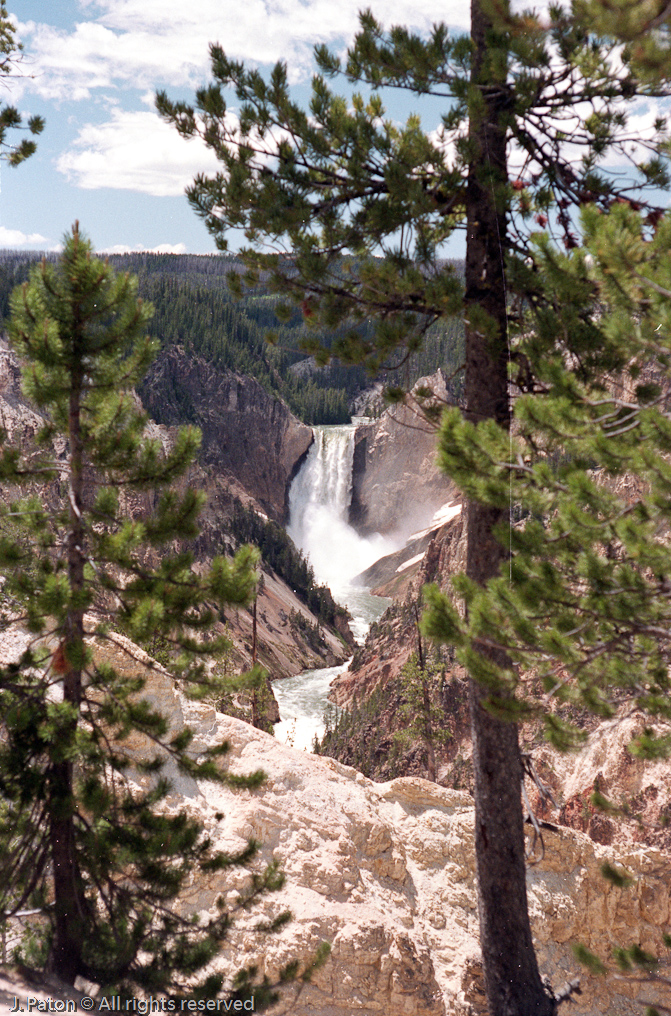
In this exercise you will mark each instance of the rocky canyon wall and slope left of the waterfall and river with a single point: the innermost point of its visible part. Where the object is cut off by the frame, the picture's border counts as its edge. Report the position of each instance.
(261, 437)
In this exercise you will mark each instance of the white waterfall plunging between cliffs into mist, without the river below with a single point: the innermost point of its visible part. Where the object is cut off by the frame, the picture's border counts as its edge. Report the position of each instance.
(319, 504)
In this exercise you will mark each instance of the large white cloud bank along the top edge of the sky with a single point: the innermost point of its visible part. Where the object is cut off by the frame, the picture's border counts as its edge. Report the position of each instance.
(142, 43)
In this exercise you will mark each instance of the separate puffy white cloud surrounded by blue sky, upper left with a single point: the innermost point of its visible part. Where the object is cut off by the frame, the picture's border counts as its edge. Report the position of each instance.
(136, 152)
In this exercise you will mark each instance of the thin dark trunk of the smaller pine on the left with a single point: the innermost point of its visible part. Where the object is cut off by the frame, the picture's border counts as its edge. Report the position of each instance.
(70, 901)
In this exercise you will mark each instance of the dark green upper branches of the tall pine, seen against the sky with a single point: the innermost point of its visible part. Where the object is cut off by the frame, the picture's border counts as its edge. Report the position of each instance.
(362, 205)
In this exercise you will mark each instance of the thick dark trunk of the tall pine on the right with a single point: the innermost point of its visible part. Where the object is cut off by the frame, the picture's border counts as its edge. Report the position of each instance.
(513, 982)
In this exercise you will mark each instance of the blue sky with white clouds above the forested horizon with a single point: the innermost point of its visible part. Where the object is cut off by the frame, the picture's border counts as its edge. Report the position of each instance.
(92, 68)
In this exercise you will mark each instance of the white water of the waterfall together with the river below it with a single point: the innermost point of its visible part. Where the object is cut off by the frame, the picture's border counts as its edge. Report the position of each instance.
(320, 502)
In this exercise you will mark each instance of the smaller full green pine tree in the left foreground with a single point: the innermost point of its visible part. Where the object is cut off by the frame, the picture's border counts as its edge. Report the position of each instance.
(104, 860)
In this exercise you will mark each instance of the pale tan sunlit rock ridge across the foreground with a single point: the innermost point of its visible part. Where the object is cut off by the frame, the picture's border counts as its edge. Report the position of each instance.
(385, 872)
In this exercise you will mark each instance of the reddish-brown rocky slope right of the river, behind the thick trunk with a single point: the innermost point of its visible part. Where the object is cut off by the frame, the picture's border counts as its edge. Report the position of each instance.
(641, 790)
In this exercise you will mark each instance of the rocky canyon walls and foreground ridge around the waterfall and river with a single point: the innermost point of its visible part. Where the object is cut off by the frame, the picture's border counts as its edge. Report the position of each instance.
(383, 870)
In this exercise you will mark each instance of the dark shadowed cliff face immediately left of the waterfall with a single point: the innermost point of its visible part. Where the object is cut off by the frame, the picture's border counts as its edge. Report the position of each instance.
(247, 433)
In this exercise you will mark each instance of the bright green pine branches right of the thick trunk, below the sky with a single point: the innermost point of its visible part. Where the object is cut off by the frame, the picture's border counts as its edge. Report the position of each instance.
(584, 600)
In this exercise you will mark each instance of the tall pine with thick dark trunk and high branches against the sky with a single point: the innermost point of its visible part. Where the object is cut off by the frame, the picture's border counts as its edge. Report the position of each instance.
(361, 207)
